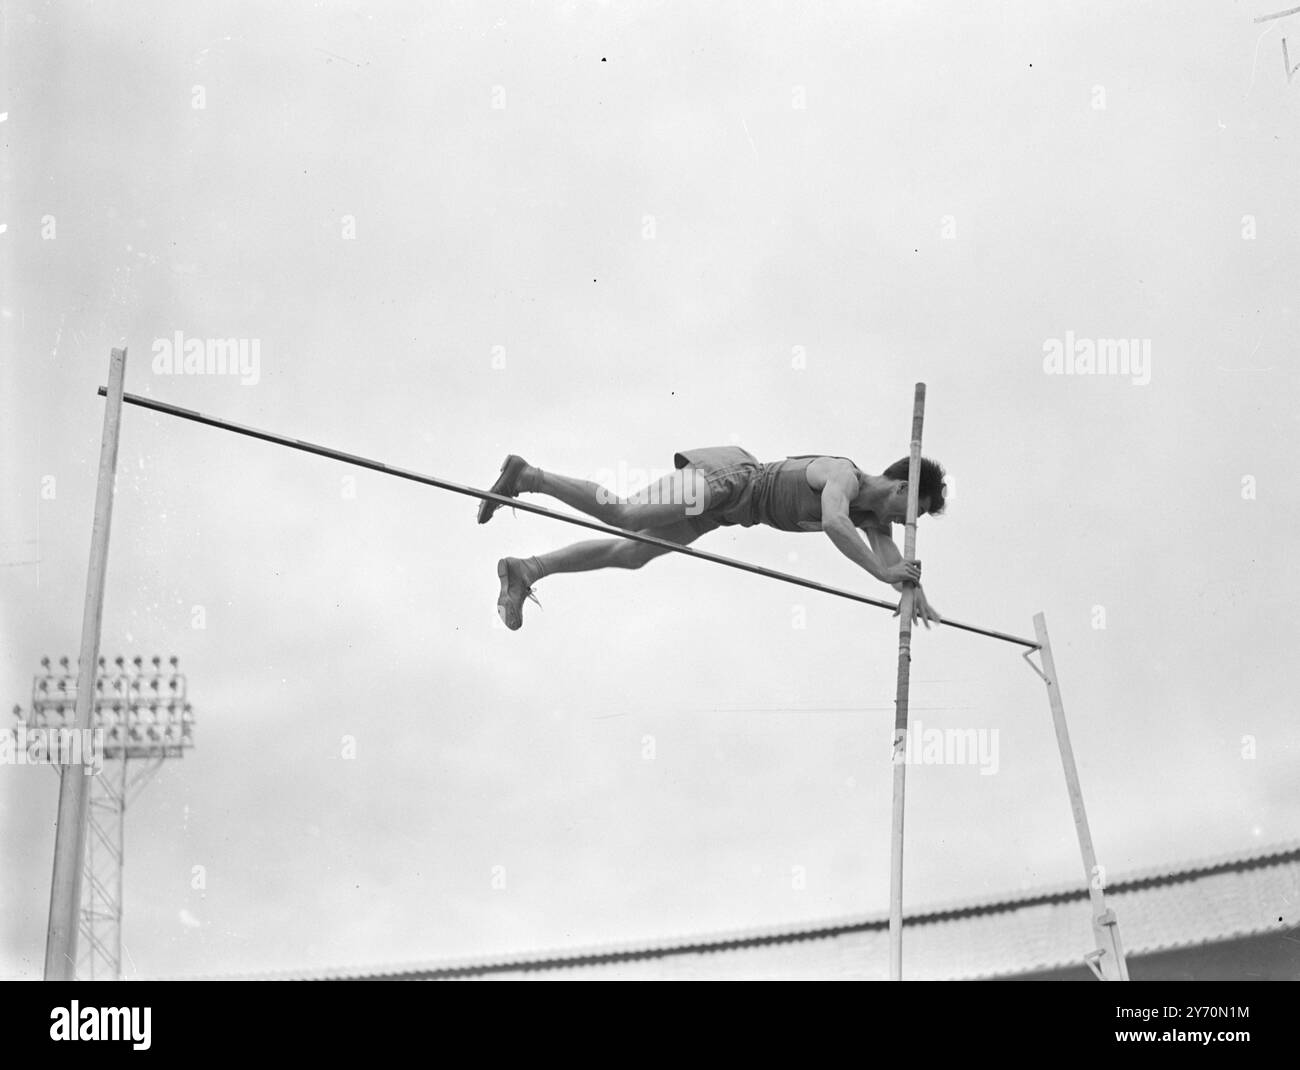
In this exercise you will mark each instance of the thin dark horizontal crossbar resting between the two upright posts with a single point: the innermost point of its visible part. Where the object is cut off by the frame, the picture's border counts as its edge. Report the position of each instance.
(402, 474)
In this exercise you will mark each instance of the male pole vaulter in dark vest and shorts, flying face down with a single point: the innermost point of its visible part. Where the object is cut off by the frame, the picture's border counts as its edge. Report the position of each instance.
(720, 487)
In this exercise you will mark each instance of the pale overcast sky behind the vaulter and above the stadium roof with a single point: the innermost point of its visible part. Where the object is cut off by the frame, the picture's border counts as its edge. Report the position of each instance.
(525, 228)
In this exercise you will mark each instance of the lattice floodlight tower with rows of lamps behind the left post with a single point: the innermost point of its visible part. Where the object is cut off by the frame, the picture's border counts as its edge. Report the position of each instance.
(141, 718)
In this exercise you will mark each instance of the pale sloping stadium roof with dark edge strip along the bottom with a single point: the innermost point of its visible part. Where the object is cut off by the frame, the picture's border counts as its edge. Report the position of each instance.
(1207, 902)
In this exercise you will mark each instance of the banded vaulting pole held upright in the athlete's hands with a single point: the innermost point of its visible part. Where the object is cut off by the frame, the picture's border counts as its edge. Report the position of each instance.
(900, 742)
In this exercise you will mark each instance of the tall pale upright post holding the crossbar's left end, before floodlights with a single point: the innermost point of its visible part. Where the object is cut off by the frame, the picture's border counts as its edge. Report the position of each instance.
(66, 886)
